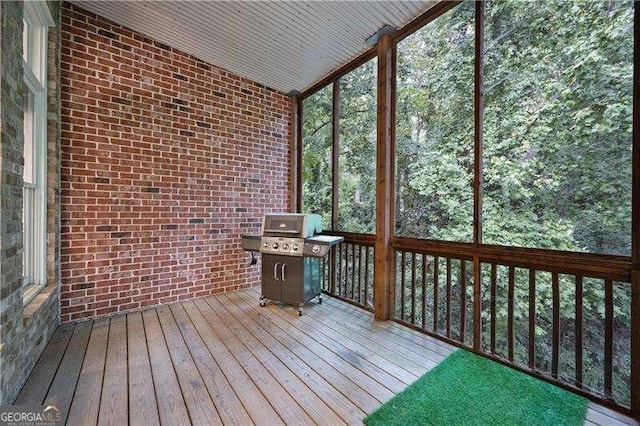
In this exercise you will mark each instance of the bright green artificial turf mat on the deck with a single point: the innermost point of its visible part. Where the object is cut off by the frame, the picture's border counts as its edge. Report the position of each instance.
(467, 389)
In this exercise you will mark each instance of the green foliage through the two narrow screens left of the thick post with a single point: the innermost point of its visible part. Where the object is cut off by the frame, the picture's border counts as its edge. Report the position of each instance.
(356, 156)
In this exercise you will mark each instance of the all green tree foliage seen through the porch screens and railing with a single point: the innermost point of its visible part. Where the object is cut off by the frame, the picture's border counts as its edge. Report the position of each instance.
(557, 137)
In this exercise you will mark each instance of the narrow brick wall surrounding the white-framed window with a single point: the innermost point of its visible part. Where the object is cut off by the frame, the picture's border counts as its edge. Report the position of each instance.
(24, 329)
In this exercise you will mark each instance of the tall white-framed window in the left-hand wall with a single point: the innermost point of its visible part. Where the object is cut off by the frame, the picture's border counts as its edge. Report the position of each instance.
(36, 20)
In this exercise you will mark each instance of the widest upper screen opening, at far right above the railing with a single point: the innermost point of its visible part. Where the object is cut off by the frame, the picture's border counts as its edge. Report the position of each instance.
(558, 82)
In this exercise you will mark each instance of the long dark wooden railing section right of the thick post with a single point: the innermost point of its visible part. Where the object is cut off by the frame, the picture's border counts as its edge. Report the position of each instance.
(565, 321)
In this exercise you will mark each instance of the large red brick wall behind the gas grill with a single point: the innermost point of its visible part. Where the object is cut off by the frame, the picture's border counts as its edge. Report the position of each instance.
(166, 160)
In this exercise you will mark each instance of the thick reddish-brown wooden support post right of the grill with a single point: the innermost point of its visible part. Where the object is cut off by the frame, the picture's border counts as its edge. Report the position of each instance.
(384, 256)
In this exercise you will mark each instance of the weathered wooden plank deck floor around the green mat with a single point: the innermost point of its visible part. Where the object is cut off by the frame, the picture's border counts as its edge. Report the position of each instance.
(226, 360)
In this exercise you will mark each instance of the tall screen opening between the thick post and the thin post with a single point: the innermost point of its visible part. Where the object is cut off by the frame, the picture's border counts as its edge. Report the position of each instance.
(434, 129)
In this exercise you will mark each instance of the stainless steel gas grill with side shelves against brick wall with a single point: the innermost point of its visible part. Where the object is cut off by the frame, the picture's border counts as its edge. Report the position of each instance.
(291, 257)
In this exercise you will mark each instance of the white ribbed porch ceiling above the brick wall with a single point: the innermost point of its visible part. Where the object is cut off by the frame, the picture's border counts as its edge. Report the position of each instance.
(285, 45)
